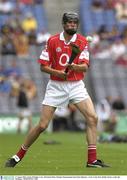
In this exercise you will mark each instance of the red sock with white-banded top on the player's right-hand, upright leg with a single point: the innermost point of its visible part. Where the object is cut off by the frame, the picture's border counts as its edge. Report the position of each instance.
(91, 153)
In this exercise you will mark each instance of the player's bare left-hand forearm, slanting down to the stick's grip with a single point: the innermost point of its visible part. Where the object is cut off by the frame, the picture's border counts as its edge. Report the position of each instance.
(51, 71)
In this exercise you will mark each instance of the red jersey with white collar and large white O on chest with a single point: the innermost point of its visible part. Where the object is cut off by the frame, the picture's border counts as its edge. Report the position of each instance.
(58, 52)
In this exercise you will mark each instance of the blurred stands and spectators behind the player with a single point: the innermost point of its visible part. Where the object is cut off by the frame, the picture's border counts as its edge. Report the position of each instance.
(25, 26)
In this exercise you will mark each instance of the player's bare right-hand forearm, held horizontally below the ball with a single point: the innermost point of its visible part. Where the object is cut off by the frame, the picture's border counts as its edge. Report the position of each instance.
(78, 67)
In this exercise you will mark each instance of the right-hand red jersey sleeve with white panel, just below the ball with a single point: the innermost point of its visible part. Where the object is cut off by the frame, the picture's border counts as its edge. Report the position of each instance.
(84, 56)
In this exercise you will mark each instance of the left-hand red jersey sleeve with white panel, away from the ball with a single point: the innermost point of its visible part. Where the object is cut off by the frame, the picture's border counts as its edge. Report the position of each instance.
(44, 57)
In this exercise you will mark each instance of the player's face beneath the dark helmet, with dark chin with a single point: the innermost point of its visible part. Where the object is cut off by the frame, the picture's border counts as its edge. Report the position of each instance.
(70, 27)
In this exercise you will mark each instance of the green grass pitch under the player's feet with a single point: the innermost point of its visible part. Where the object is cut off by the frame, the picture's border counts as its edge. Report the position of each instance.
(68, 157)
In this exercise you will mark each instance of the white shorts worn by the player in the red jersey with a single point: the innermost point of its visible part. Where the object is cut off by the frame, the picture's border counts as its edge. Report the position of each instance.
(60, 94)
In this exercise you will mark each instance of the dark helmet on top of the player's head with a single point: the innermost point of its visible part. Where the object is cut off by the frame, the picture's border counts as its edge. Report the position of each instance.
(70, 16)
